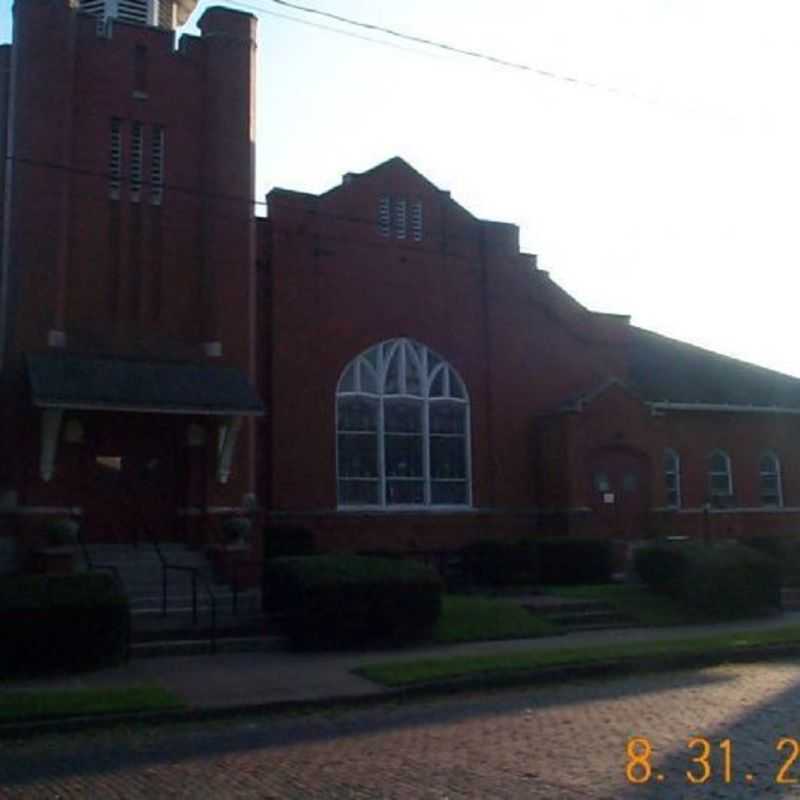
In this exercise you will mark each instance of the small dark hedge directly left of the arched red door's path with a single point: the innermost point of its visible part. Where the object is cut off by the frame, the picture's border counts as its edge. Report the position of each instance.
(567, 560)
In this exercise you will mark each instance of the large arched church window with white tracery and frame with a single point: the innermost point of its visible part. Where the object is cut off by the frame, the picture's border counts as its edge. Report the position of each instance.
(402, 429)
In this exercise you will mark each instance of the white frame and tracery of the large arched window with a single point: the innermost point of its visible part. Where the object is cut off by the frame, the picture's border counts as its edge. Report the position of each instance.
(429, 366)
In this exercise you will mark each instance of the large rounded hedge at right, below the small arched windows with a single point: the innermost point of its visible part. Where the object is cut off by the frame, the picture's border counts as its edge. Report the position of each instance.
(724, 581)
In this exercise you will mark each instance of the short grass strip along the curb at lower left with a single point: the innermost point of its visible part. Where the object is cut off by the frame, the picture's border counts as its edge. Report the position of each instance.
(21, 706)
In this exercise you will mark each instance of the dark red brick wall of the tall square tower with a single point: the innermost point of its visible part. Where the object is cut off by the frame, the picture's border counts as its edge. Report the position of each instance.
(116, 276)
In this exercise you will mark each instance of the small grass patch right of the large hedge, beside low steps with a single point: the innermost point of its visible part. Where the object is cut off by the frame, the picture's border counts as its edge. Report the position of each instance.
(468, 618)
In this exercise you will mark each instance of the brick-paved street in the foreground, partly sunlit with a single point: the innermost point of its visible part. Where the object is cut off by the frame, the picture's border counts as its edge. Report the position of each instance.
(556, 742)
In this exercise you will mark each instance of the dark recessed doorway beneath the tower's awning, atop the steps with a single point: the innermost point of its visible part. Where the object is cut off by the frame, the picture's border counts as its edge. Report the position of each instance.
(133, 481)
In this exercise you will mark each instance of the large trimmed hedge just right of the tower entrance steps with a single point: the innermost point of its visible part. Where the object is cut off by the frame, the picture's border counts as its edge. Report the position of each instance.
(344, 600)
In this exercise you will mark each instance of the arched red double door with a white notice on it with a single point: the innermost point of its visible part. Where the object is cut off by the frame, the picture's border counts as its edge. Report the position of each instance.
(620, 491)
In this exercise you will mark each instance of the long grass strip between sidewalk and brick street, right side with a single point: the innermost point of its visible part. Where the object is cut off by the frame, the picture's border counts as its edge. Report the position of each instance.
(407, 673)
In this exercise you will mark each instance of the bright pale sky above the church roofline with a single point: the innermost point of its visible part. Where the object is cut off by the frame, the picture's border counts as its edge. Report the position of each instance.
(669, 190)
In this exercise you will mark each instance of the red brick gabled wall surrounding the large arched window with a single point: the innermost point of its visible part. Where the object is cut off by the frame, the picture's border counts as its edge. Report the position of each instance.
(337, 288)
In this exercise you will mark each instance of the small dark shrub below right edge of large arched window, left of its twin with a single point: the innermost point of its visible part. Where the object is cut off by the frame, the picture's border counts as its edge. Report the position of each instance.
(495, 562)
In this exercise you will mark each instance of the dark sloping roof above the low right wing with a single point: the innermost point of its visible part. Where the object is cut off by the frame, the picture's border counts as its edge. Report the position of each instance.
(670, 371)
